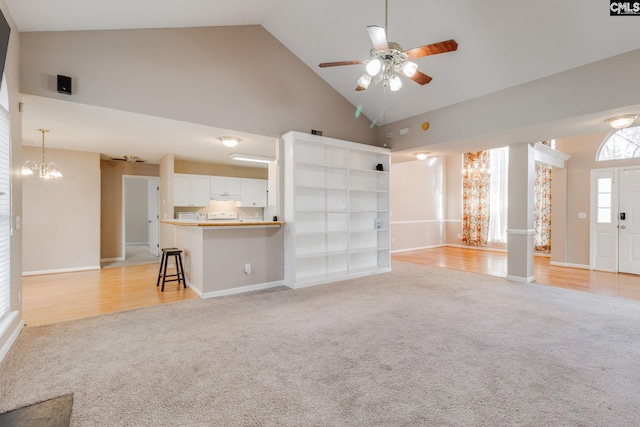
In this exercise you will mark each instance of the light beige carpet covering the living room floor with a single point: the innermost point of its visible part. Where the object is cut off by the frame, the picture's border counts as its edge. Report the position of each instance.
(418, 346)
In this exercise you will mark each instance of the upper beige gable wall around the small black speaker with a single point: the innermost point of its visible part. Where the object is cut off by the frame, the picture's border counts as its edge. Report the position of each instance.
(239, 78)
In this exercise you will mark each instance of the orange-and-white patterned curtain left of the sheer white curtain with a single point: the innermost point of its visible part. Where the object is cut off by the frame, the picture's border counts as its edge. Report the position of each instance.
(475, 198)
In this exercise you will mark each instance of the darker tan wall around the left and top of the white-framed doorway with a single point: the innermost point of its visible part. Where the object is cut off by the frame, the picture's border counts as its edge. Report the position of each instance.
(110, 202)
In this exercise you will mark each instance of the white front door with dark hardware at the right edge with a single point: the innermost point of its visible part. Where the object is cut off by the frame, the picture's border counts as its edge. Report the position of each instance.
(629, 221)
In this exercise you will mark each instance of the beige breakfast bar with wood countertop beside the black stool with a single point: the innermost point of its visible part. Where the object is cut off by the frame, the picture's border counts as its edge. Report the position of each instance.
(229, 257)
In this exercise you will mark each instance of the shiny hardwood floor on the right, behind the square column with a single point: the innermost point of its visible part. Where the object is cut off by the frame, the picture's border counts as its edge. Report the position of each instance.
(495, 264)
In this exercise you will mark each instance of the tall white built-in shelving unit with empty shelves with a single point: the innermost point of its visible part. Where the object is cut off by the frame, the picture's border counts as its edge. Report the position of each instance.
(336, 209)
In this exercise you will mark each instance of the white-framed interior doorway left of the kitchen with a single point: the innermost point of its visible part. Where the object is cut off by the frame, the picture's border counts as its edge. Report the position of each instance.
(140, 219)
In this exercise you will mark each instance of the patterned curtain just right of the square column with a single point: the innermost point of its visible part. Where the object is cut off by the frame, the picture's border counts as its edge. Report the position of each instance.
(542, 209)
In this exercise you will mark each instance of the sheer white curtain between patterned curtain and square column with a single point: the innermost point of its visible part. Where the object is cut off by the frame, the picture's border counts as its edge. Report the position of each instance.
(499, 167)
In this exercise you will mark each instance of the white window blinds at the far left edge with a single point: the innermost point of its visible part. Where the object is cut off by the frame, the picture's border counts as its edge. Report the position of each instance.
(5, 212)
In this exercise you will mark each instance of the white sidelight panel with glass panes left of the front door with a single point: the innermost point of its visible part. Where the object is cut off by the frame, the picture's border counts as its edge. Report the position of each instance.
(604, 224)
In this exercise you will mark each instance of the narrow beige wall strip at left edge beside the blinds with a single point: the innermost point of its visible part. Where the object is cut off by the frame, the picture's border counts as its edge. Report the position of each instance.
(11, 71)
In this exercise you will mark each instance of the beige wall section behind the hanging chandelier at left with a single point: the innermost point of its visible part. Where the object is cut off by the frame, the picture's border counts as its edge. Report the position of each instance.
(61, 217)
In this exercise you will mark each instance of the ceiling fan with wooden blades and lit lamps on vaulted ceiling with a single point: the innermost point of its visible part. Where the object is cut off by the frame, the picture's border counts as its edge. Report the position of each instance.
(387, 61)
